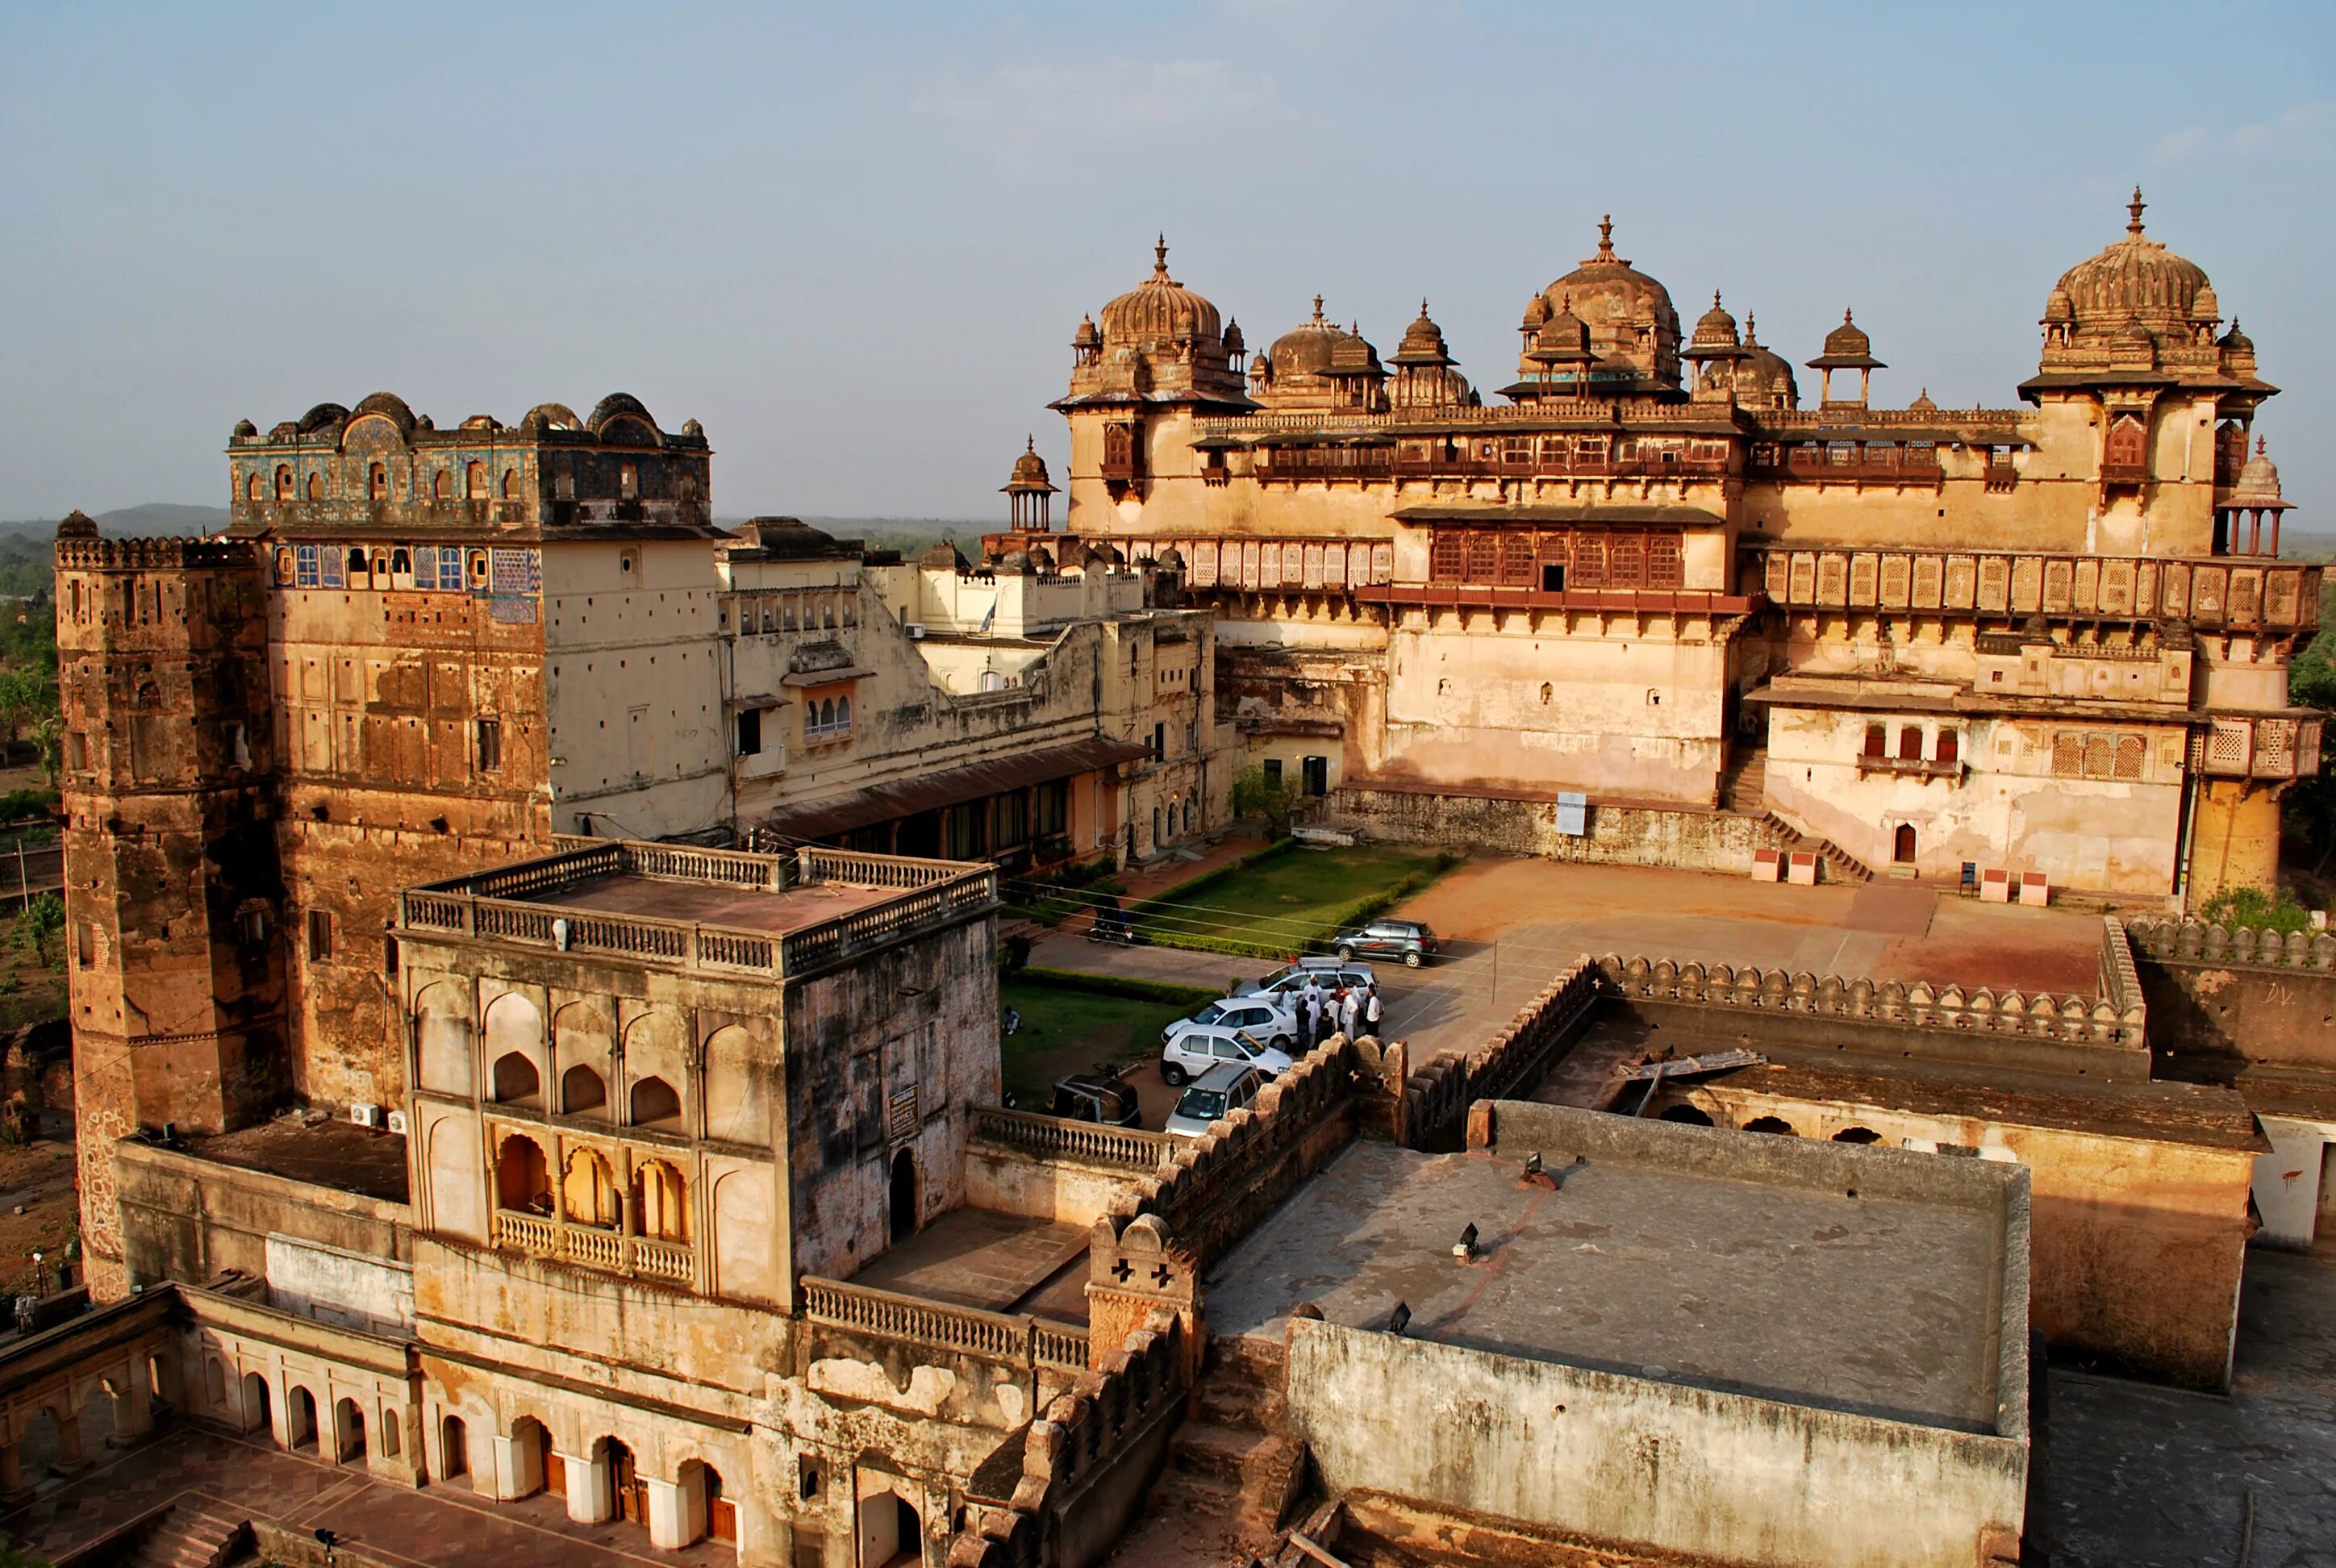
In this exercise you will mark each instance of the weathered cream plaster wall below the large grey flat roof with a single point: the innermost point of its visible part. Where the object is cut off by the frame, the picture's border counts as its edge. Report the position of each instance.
(1636, 1462)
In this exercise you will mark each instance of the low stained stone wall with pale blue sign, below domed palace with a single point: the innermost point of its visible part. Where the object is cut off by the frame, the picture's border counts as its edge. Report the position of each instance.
(1618, 833)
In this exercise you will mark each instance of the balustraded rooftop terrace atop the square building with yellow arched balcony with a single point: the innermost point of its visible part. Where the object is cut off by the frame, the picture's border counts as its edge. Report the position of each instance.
(704, 910)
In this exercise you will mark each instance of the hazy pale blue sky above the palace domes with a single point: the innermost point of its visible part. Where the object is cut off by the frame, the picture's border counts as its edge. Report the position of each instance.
(854, 242)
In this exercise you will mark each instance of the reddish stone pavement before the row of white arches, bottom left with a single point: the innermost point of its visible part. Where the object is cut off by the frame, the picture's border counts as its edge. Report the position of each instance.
(380, 1520)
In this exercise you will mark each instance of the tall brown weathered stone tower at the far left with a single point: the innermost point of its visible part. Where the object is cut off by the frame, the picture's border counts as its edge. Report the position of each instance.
(174, 891)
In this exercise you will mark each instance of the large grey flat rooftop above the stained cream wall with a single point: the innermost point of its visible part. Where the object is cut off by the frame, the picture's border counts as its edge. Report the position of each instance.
(1809, 1296)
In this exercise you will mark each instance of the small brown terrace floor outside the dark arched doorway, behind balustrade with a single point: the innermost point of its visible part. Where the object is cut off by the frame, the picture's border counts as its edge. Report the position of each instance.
(989, 1261)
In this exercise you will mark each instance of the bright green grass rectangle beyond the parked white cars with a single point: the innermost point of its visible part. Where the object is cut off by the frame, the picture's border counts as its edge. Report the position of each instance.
(1288, 901)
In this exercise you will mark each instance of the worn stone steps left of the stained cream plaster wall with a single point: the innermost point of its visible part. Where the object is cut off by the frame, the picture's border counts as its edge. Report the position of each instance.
(1232, 1478)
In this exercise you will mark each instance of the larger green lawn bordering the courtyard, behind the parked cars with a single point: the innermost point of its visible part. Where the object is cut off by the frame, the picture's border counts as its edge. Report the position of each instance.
(1288, 901)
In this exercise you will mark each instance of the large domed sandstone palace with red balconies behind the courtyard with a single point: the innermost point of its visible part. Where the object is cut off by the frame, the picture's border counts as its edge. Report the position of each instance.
(2043, 641)
